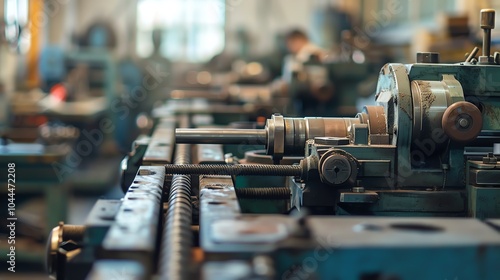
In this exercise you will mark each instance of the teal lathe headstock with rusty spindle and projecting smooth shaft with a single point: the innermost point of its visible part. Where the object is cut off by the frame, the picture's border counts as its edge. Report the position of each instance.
(424, 149)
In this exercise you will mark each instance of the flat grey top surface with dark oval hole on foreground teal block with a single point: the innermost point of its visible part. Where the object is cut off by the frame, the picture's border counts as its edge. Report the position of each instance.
(403, 232)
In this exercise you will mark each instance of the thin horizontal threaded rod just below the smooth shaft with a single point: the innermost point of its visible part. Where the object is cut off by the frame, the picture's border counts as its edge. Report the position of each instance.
(239, 169)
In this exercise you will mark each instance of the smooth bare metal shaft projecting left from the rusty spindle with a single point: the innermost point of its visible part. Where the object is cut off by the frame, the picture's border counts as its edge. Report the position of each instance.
(220, 136)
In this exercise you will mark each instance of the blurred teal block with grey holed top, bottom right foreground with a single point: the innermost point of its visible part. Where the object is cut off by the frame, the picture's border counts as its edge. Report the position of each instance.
(393, 248)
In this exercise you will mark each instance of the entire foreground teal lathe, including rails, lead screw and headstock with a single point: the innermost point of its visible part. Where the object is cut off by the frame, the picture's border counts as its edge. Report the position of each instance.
(407, 189)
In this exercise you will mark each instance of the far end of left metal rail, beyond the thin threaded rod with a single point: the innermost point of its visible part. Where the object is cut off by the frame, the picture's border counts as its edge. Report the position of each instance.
(161, 145)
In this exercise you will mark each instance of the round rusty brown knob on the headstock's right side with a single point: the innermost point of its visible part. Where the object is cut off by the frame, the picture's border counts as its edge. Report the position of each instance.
(462, 121)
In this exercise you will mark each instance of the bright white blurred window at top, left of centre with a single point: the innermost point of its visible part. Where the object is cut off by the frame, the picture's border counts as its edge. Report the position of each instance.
(192, 30)
